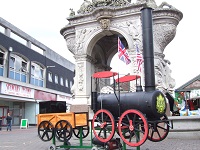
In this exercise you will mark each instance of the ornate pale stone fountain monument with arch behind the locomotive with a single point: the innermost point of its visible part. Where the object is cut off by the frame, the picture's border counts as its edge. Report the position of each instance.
(91, 35)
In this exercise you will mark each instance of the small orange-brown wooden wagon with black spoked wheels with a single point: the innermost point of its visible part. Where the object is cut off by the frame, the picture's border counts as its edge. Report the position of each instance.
(61, 125)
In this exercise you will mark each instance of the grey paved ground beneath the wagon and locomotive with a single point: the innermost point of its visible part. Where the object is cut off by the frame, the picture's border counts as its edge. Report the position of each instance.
(27, 139)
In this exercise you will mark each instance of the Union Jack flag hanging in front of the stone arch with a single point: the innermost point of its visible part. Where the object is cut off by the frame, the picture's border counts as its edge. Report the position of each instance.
(123, 53)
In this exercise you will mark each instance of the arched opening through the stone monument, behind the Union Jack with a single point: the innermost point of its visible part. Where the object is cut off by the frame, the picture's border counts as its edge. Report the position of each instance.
(105, 53)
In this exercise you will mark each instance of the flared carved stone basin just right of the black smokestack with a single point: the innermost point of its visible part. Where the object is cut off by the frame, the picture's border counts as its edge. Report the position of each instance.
(164, 27)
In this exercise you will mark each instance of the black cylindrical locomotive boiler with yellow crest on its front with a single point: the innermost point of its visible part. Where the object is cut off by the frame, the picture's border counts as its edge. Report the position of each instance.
(152, 103)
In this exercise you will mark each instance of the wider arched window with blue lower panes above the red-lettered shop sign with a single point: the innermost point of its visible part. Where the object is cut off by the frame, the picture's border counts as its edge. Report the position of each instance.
(18, 68)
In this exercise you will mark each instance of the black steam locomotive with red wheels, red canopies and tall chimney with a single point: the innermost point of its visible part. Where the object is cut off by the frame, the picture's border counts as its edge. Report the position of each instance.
(134, 116)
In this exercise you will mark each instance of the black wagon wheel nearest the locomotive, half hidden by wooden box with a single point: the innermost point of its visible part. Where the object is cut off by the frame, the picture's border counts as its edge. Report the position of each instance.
(81, 131)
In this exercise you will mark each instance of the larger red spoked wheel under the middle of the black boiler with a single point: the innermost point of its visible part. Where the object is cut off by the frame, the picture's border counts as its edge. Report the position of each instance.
(133, 128)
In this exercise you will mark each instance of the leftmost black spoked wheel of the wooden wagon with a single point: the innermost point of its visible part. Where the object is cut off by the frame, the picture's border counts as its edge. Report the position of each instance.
(45, 131)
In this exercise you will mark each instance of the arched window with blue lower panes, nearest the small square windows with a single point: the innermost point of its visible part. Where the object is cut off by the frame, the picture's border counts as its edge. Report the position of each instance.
(37, 75)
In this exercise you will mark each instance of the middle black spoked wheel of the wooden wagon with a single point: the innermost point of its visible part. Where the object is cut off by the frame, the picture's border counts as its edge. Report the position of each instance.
(63, 130)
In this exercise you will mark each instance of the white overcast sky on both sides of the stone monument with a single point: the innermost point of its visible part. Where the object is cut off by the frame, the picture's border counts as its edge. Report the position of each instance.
(43, 19)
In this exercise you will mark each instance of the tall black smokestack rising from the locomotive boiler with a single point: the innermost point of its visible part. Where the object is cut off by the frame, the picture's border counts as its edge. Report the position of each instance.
(148, 51)
